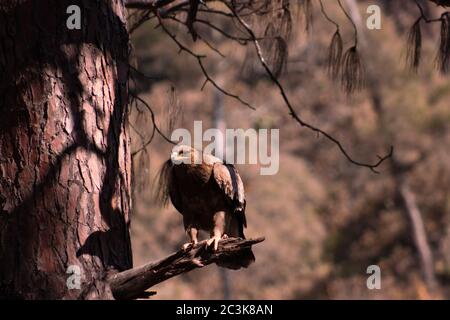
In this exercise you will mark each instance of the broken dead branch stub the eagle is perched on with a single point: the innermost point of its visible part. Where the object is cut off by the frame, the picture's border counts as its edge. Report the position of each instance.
(132, 283)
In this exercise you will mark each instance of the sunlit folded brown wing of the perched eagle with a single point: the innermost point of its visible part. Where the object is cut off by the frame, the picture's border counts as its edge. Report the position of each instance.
(230, 182)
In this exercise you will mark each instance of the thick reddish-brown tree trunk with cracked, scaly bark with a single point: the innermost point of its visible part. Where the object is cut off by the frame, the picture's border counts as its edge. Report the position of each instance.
(64, 151)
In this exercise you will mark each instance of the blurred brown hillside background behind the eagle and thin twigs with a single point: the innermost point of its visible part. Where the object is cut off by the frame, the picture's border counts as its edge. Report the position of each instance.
(324, 219)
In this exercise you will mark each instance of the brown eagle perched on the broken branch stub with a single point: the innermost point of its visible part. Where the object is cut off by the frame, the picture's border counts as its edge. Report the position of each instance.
(209, 194)
